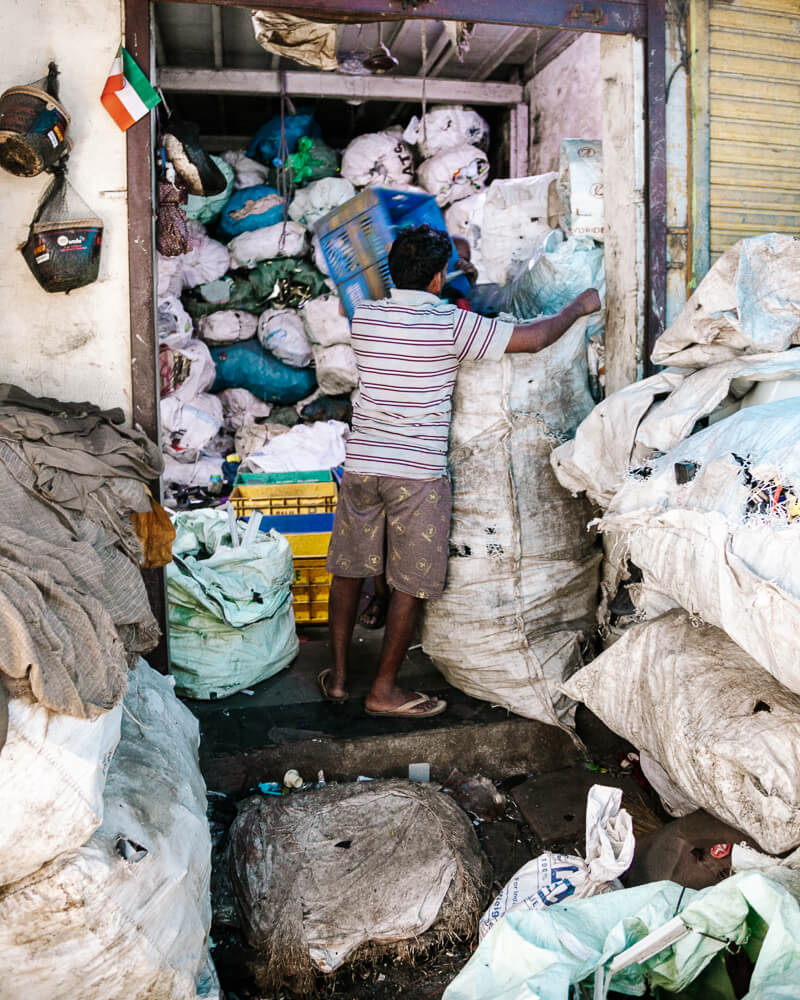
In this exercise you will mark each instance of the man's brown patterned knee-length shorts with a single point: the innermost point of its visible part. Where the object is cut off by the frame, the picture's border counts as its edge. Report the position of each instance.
(413, 515)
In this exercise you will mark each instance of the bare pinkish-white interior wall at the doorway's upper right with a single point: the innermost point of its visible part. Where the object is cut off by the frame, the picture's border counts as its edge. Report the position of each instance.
(566, 102)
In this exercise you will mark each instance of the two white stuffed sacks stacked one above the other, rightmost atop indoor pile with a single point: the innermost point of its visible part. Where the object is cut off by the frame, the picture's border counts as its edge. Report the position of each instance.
(449, 141)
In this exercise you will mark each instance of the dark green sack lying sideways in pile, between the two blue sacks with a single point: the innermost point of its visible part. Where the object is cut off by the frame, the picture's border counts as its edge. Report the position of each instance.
(286, 283)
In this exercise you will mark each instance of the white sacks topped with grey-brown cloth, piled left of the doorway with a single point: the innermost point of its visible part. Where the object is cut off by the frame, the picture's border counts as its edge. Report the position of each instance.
(104, 846)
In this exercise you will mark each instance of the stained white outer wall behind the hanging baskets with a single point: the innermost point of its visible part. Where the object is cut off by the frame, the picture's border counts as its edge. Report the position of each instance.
(74, 346)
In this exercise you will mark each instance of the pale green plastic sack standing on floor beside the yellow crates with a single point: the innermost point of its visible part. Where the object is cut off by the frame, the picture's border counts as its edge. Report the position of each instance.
(230, 609)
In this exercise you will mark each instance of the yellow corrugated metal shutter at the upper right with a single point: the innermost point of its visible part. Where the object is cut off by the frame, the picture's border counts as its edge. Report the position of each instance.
(754, 119)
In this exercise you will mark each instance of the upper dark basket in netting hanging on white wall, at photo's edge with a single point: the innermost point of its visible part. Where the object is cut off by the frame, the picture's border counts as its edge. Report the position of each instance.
(33, 127)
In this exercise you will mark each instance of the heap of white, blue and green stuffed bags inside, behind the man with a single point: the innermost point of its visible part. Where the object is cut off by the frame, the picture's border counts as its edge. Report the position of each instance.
(253, 345)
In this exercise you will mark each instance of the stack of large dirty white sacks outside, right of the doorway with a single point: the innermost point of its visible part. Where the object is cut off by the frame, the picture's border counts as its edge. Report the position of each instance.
(697, 472)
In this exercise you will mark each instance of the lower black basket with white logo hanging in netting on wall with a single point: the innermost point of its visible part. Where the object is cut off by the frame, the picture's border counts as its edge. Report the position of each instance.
(63, 246)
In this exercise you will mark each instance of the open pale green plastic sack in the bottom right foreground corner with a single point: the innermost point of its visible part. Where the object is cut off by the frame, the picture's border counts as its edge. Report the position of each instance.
(543, 954)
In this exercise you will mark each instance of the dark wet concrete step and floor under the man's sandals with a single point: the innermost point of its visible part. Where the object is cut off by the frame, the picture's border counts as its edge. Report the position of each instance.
(285, 723)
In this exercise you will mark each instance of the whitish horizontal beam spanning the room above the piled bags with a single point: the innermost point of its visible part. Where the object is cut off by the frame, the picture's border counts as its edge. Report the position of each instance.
(334, 85)
